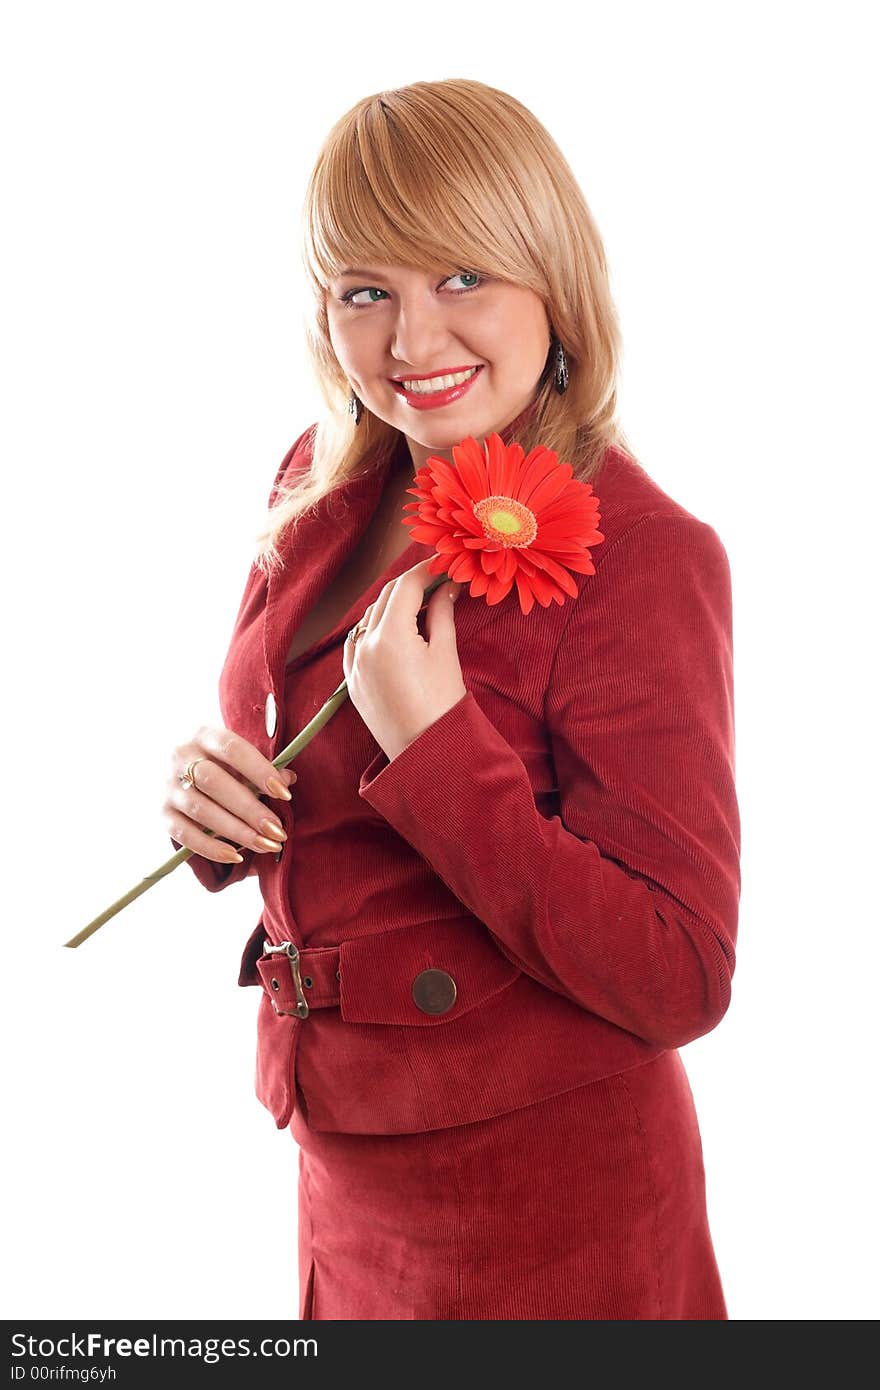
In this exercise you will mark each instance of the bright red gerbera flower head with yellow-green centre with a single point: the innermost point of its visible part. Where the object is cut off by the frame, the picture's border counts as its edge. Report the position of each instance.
(503, 518)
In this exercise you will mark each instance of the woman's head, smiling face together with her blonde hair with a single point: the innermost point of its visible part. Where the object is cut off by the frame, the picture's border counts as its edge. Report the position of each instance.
(446, 231)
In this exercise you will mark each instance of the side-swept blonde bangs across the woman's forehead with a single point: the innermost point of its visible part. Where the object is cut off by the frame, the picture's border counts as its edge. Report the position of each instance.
(408, 188)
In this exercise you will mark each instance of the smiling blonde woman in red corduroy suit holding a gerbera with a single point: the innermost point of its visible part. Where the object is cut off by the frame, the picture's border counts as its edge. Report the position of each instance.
(504, 889)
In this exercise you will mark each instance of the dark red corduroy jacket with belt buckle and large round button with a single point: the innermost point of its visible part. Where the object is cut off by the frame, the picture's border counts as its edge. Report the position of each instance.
(562, 844)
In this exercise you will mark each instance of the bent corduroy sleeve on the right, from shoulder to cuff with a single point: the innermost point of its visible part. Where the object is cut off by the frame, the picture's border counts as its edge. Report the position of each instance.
(628, 900)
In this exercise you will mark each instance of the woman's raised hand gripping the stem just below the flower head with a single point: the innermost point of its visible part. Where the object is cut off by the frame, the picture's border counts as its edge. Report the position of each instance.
(398, 682)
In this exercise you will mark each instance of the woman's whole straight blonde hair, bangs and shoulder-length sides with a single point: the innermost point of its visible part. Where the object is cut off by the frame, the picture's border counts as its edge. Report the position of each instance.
(454, 173)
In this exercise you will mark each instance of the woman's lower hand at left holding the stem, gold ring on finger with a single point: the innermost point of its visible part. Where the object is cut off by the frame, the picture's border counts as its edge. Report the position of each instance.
(230, 778)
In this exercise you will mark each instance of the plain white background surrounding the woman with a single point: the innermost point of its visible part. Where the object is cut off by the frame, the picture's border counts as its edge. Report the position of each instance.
(154, 169)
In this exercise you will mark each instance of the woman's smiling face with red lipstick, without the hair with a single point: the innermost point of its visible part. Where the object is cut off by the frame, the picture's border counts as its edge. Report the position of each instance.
(391, 325)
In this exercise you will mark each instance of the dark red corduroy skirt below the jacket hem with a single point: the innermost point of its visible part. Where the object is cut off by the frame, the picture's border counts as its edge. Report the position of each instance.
(587, 1206)
